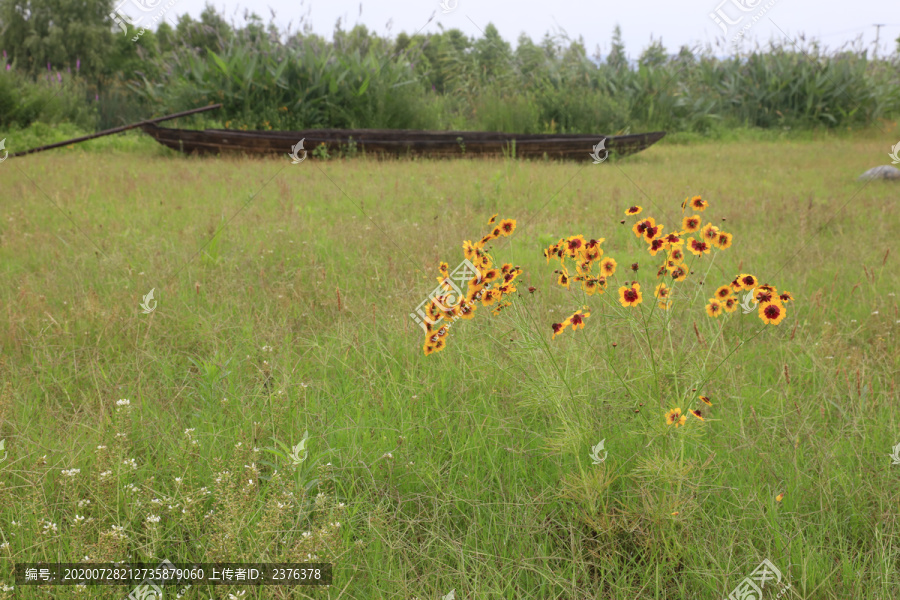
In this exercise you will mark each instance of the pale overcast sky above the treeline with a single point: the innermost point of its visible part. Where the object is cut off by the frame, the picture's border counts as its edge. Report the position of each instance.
(686, 22)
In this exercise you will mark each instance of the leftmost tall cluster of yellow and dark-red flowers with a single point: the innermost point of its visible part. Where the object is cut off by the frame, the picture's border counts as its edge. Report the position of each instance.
(490, 286)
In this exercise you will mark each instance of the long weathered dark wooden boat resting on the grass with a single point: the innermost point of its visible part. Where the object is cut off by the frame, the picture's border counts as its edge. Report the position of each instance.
(400, 142)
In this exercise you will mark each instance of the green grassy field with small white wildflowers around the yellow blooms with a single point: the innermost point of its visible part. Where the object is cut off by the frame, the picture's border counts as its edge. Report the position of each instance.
(468, 469)
